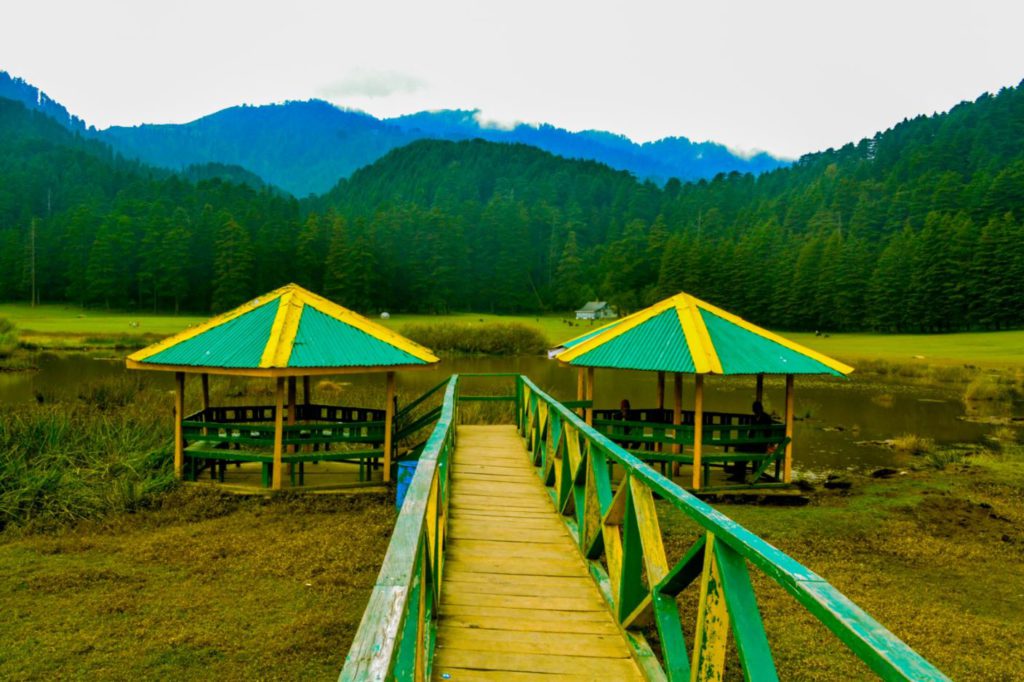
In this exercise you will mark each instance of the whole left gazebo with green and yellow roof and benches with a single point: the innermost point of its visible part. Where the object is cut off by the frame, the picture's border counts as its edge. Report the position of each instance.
(284, 335)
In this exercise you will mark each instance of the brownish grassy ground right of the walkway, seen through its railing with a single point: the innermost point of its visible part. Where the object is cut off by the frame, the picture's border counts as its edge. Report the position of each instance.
(935, 553)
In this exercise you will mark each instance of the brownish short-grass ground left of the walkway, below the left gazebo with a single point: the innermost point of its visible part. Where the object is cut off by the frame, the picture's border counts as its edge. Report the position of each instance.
(199, 586)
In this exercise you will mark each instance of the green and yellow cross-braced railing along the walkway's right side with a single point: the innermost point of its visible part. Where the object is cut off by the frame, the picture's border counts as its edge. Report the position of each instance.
(622, 529)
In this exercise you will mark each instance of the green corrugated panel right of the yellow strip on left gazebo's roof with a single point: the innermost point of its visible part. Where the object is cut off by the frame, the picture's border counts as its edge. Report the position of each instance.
(325, 342)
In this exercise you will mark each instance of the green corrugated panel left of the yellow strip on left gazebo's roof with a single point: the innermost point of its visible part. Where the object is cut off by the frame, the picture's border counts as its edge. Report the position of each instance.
(238, 344)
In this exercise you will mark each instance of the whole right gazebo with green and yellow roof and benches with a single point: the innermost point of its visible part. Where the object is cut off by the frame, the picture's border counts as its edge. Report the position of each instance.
(686, 335)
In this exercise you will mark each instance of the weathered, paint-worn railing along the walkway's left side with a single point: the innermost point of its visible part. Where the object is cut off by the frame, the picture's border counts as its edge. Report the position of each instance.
(396, 636)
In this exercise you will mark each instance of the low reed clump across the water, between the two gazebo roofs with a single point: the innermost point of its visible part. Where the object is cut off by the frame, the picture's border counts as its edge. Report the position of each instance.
(479, 339)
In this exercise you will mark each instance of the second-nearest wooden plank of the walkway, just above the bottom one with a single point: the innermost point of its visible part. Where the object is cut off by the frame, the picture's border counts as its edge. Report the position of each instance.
(569, 645)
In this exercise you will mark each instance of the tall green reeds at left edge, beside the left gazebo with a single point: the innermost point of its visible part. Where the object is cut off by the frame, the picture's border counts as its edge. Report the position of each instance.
(104, 449)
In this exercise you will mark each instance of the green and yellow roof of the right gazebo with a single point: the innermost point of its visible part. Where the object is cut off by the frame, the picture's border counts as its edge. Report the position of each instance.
(688, 335)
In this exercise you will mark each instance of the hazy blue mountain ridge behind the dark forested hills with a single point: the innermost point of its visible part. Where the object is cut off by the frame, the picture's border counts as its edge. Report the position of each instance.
(306, 148)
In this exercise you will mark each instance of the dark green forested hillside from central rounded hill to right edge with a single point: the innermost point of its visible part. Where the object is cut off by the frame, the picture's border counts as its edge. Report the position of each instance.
(916, 229)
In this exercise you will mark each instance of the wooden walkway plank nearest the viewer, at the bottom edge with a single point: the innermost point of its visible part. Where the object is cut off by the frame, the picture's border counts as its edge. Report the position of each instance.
(599, 669)
